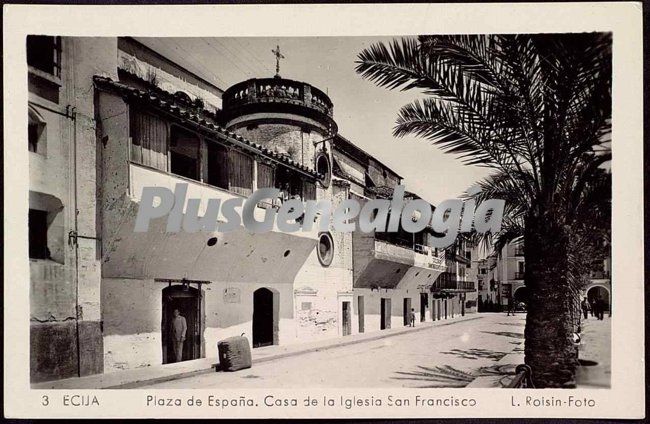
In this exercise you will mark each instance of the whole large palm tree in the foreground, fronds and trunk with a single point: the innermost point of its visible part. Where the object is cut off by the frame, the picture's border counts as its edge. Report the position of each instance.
(536, 109)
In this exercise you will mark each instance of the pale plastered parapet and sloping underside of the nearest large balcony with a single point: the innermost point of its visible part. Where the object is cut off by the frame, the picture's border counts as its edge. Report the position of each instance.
(237, 256)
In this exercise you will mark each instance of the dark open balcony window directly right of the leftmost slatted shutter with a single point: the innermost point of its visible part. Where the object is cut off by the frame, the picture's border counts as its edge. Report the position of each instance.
(184, 153)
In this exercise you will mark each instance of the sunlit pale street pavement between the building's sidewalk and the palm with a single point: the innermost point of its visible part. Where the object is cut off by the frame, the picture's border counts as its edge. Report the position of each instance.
(450, 355)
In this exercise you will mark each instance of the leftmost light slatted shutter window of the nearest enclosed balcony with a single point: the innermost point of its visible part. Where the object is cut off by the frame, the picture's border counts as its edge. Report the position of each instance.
(148, 140)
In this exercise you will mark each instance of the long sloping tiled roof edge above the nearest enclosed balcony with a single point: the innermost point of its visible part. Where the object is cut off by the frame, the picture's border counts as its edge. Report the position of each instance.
(166, 102)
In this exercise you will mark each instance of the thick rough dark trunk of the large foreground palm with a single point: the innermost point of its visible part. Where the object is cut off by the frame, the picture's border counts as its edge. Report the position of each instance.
(549, 348)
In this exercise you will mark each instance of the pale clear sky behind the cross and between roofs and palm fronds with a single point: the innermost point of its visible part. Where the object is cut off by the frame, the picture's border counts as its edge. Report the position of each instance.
(365, 113)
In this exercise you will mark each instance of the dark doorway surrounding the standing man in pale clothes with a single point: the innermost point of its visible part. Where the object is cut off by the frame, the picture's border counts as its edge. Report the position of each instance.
(188, 302)
